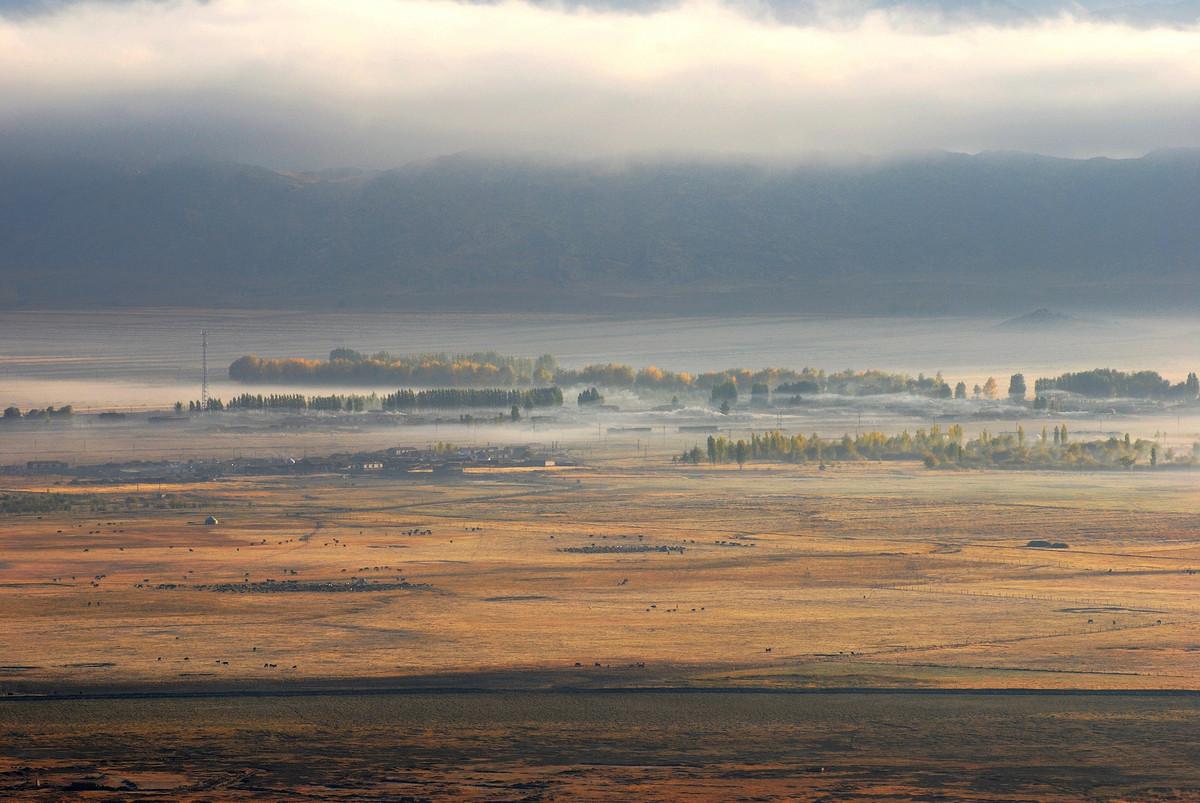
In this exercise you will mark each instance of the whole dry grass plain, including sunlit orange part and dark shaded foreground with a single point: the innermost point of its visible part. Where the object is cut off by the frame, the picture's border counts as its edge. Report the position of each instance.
(617, 585)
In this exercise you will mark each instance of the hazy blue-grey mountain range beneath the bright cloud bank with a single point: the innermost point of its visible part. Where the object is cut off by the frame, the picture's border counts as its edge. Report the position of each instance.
(933, 233)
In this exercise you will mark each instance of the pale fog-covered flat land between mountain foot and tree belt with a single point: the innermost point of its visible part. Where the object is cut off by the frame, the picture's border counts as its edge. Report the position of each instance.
(152, 358)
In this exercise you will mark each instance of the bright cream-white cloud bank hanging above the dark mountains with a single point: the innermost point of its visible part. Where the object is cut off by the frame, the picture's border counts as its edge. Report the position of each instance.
(376, 83)
